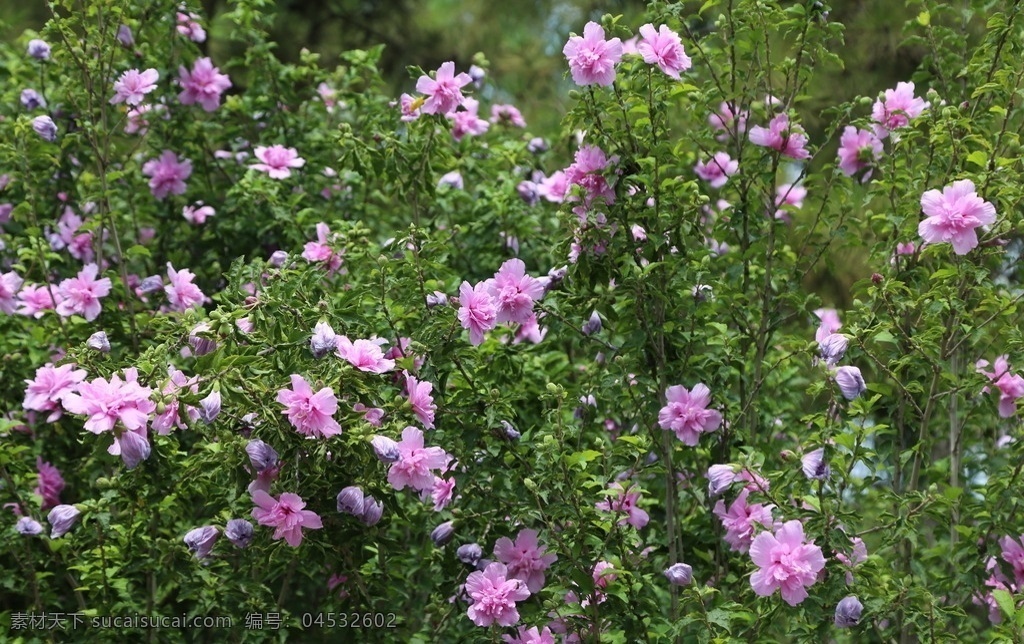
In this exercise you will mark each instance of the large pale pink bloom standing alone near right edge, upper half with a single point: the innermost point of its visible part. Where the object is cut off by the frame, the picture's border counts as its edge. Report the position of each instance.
(954, 216)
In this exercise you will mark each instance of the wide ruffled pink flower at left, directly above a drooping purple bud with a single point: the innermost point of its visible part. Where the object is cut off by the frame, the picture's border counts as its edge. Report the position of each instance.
(106, 403)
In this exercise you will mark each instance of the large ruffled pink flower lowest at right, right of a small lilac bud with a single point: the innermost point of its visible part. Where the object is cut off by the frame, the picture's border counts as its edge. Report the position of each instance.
(786, 563)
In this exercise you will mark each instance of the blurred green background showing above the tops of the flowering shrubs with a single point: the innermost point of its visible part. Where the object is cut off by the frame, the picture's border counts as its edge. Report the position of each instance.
(522, 39)
